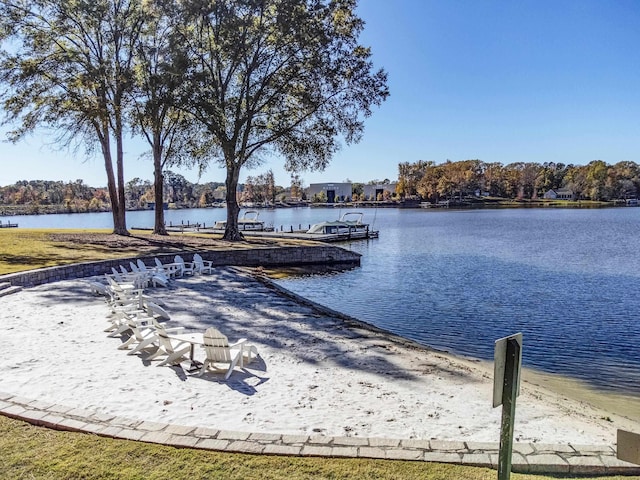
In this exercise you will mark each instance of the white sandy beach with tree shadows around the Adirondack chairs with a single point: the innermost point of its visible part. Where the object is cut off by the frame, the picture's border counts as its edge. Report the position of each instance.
(316, 373)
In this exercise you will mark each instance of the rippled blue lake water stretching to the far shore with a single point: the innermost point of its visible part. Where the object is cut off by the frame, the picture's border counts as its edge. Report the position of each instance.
(458, 280)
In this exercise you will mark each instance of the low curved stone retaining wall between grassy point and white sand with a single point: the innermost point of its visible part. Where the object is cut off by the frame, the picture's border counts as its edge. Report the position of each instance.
(256, 257)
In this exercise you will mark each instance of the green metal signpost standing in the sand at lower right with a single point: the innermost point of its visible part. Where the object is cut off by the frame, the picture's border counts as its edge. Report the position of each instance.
(509, 392)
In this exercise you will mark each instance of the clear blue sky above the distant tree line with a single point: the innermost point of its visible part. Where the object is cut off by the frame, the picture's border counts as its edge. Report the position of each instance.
(532, 81)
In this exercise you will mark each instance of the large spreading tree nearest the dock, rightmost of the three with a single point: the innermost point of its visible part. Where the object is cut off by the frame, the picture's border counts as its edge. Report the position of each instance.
(276, 76)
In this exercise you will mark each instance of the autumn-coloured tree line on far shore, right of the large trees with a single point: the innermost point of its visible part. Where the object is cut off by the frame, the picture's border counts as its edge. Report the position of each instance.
(456, 180)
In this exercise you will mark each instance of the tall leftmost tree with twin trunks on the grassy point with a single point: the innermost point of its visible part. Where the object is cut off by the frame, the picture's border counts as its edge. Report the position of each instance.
(66, 64)
